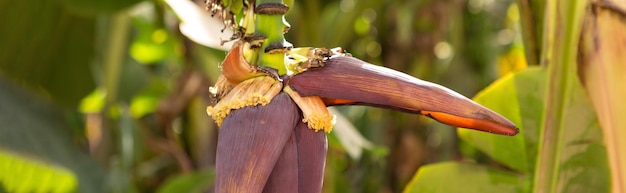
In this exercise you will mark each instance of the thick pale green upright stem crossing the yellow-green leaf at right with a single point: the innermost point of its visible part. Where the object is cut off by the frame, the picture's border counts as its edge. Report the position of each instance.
(563, 20)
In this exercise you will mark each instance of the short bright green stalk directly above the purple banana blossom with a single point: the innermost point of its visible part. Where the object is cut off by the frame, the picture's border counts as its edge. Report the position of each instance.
(272, 27)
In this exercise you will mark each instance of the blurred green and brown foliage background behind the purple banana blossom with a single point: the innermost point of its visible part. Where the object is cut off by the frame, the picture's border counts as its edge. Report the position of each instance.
(110, 96)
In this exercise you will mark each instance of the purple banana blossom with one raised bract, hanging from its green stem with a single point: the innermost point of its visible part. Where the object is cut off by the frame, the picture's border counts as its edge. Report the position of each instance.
(273, 99)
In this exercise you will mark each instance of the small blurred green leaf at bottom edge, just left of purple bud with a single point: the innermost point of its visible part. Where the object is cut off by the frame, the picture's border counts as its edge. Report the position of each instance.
(197, 181)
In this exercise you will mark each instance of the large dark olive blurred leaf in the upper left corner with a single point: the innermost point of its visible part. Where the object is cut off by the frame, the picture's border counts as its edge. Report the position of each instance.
(48, 49)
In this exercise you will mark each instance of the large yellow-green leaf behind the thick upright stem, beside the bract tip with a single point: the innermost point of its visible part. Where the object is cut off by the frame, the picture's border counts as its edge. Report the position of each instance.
(582, 162)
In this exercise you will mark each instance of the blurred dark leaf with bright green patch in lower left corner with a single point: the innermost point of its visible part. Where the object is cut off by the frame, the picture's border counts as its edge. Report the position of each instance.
(39, 151)
